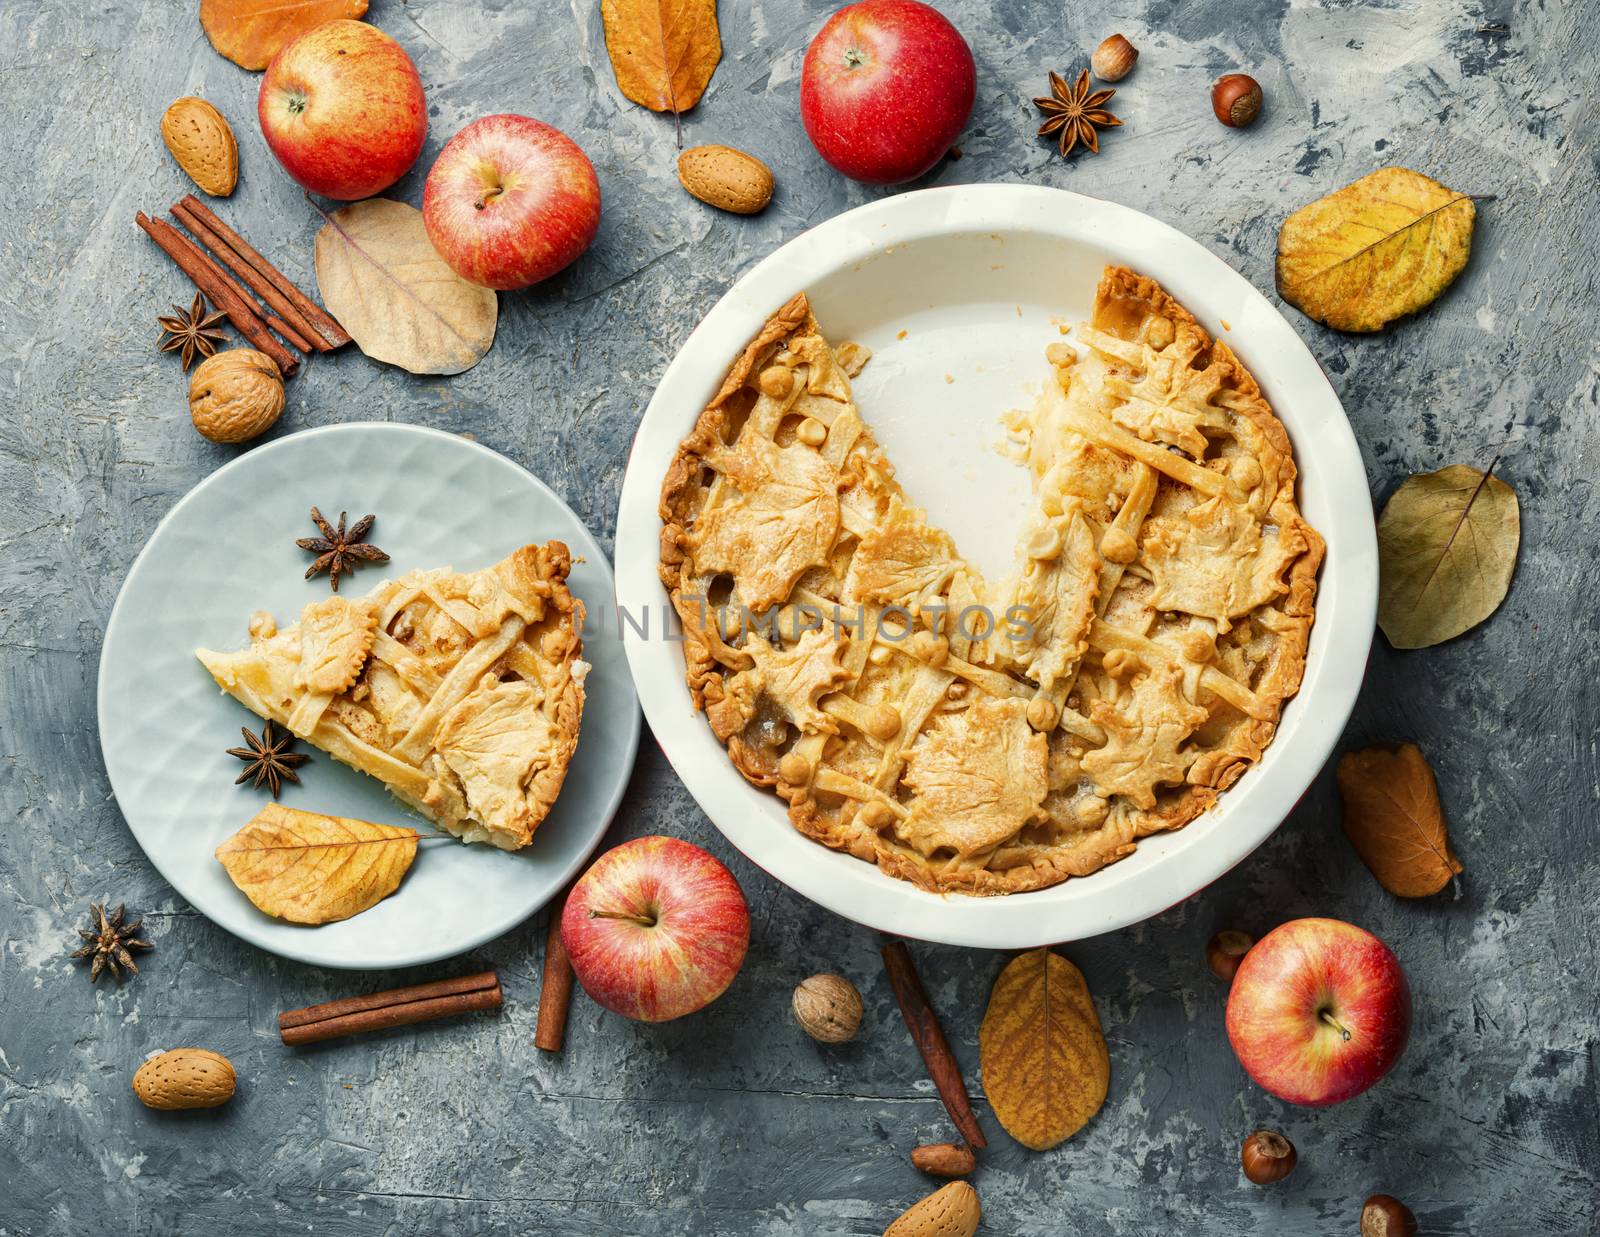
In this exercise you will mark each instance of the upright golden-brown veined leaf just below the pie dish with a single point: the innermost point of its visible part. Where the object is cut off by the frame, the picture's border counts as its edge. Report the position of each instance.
(1042, 1052)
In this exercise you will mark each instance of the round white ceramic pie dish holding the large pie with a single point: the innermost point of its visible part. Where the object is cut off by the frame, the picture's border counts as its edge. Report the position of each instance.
(958, 292)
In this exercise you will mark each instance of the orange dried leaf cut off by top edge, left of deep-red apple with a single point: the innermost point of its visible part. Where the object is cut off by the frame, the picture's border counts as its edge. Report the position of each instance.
(663, 52)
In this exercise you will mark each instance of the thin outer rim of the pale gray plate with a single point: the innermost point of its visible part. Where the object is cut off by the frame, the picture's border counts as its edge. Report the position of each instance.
(487, 934)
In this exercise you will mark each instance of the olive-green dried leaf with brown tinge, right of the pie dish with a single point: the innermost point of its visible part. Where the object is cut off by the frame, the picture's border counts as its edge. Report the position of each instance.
(1447, 546)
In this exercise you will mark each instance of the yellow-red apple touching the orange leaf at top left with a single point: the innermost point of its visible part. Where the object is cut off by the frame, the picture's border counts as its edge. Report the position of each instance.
(343, 110)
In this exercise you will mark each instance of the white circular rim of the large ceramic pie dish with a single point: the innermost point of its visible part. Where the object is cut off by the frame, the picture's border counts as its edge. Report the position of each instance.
(1191, 859)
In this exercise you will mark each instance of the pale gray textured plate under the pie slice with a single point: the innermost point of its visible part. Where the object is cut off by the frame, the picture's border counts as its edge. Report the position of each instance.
(228, 550)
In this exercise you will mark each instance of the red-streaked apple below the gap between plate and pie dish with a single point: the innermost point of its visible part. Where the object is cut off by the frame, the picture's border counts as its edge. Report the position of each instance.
(657, 929)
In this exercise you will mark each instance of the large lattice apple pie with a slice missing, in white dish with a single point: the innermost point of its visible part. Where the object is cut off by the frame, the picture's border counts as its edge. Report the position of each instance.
(993, 739)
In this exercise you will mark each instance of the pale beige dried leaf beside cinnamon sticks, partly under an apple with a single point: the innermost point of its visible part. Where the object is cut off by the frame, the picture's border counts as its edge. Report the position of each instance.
(391, 290)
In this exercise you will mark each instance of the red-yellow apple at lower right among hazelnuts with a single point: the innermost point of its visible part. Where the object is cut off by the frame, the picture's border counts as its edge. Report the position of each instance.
(1319, 1012)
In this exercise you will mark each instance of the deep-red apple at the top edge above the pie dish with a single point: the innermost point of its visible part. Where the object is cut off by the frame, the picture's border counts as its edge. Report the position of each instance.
(886, 90)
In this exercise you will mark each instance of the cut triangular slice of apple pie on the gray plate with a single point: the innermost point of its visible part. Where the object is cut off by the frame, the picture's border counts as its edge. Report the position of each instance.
(460, 692)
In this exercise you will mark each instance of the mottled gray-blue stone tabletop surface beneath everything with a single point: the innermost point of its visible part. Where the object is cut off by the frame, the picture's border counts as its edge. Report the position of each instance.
(734, 1123)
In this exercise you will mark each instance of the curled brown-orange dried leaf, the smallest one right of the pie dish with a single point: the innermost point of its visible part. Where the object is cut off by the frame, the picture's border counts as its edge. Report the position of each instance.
(1394, 820)
